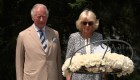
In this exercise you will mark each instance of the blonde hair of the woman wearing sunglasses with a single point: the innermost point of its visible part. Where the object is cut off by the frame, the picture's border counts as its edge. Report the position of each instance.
(87, 14)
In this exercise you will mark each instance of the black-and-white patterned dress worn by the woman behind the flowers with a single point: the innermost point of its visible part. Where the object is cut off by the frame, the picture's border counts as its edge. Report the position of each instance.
(75, 42)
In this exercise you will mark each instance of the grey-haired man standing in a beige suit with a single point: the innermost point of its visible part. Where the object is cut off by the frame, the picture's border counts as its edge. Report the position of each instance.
(33, 61)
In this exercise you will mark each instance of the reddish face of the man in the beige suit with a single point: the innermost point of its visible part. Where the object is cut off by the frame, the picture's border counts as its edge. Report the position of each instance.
(40, 17)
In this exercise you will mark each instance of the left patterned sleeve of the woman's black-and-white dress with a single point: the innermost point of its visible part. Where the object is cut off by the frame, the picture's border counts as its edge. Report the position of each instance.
(70, 47)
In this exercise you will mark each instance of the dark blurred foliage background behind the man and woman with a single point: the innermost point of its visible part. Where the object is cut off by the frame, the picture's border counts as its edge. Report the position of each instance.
(119, 19)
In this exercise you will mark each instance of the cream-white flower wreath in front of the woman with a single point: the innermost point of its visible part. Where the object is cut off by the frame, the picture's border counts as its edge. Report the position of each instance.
(94, 63)
